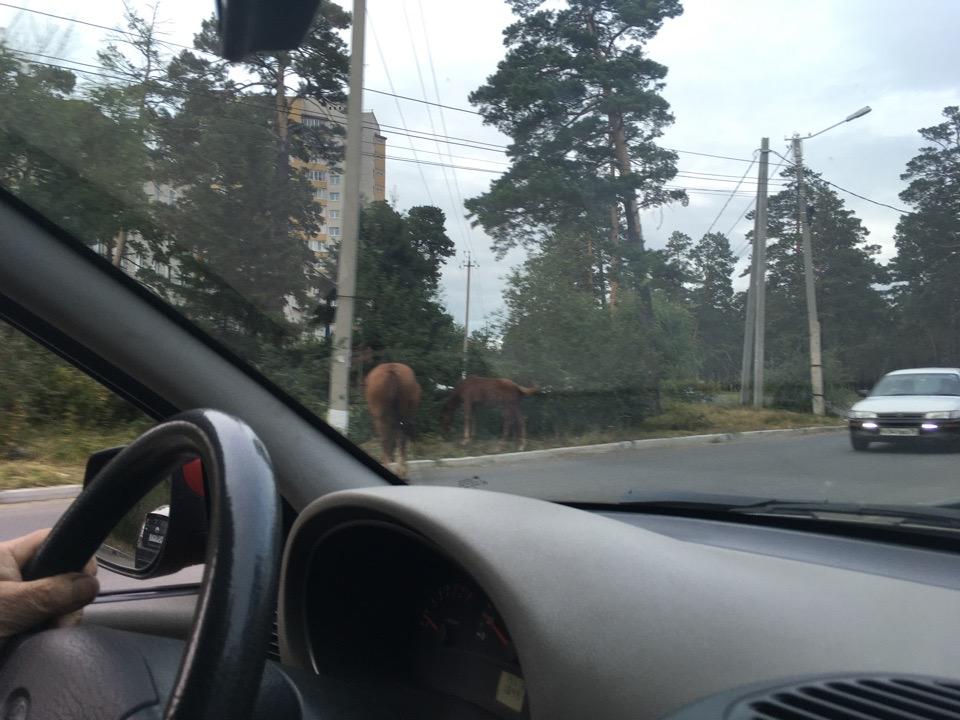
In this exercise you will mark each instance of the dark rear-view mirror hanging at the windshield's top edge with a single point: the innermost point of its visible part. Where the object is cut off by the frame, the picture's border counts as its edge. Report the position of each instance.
(249, 26)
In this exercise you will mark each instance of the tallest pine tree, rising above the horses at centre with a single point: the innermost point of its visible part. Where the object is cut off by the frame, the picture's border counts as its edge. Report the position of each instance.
(581, 101)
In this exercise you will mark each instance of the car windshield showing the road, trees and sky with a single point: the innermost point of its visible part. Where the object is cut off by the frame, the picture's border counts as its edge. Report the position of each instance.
(571, 249)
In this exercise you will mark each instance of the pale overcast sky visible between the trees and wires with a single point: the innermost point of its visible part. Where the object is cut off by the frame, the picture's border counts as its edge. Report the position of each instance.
(738, 71)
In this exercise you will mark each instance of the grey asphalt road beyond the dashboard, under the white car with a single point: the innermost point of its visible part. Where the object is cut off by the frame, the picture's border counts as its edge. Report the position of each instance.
(788, 467)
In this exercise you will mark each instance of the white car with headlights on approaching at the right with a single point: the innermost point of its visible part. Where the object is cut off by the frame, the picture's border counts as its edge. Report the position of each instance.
(908, 405)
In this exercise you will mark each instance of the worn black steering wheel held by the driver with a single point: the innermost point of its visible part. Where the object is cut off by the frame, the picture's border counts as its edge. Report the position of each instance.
(96, 672)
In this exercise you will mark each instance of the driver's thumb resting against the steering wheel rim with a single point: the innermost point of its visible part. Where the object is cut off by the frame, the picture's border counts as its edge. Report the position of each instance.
(24, 605)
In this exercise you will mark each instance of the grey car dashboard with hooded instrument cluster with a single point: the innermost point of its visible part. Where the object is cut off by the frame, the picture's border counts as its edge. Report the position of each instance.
(427, 602)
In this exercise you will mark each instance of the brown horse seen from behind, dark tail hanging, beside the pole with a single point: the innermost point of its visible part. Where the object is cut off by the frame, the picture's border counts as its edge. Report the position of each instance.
(393, 396)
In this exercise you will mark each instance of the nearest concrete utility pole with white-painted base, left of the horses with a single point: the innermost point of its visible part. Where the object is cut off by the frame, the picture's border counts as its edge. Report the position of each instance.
(338, 414)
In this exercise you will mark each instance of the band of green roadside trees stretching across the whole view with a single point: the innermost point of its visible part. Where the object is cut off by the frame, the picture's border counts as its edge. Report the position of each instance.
(194, 170)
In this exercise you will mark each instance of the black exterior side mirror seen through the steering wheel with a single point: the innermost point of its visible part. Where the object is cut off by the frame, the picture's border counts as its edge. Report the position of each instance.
(164, 532)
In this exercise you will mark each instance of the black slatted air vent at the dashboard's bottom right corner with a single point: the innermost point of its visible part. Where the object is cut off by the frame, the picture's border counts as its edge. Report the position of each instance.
(855, 698)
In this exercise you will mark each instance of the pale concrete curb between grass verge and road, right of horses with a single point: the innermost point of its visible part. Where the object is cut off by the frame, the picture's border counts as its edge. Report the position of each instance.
(645, 444)
